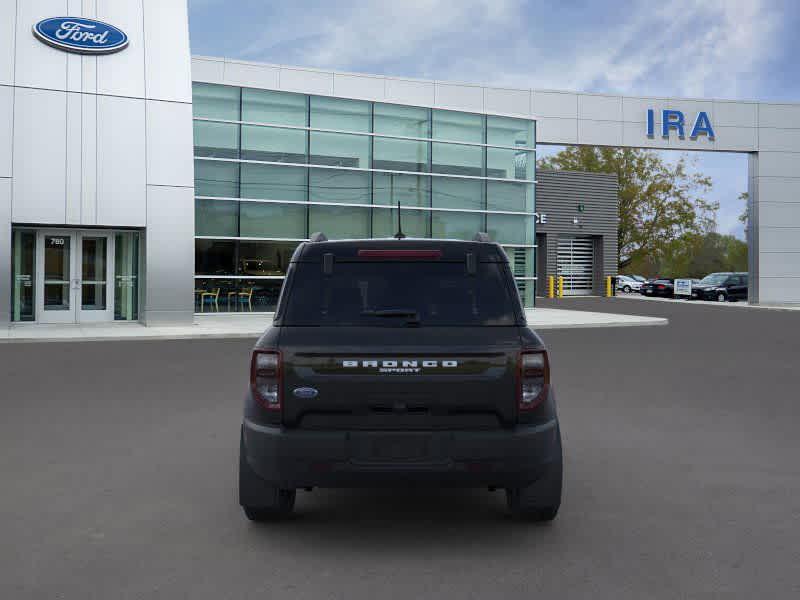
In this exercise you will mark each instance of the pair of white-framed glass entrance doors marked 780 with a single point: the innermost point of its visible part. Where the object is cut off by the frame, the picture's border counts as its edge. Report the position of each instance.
(74, 275)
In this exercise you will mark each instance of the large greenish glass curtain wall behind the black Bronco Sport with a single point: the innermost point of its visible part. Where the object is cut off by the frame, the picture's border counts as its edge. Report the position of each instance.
(273, 167)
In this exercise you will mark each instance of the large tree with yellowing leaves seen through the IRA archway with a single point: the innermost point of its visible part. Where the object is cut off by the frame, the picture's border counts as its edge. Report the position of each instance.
(659, 202)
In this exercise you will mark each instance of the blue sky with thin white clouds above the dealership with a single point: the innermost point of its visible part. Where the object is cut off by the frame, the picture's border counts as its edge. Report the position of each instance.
(732, 49)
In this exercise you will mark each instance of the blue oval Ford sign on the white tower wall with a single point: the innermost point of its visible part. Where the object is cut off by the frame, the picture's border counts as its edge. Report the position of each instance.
(84, 36)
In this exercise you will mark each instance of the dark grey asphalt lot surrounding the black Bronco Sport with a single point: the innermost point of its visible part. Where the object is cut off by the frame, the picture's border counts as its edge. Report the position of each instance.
(682, 466)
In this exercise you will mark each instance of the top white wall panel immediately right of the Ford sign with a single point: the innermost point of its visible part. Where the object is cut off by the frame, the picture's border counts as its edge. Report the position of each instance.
(167, 59)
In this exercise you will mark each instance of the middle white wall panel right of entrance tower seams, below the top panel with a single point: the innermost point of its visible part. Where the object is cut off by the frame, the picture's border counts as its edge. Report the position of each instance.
(169, 144)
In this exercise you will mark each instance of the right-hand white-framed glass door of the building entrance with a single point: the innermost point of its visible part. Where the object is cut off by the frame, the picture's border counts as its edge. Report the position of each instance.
(95, 274)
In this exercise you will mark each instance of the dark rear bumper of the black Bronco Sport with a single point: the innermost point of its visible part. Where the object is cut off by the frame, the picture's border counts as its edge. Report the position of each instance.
(300, 458)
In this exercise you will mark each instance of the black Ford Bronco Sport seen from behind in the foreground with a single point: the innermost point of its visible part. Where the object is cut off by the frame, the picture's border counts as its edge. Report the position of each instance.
(400, 363)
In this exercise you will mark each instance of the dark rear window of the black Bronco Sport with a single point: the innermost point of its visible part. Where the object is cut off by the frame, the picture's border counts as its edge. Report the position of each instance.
(398, 294)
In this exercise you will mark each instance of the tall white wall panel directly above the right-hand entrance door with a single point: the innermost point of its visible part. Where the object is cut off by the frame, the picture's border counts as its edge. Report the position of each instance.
(121, 161)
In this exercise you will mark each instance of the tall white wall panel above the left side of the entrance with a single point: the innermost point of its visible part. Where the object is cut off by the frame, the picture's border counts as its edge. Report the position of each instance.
(39, 156)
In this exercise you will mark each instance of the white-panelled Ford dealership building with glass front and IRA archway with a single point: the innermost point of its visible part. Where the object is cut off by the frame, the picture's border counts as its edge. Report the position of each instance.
(139, 183)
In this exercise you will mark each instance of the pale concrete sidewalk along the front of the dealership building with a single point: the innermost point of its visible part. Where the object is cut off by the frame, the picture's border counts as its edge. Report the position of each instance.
(251, 326)
